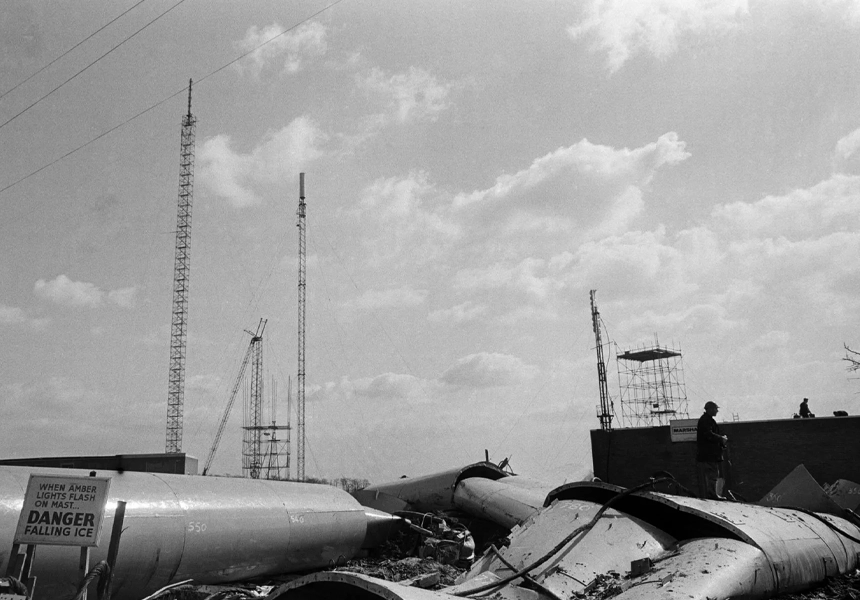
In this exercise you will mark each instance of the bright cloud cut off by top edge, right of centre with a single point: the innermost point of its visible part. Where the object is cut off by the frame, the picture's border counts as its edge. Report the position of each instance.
(624, 28)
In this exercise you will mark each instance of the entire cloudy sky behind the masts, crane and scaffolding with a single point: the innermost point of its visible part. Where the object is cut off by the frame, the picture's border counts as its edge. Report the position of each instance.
(472, 171)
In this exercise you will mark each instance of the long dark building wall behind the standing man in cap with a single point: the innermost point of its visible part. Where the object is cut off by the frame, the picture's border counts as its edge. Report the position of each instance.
(759, 455)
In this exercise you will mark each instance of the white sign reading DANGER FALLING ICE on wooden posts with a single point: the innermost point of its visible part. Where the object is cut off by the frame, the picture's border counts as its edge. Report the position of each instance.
(63, 511)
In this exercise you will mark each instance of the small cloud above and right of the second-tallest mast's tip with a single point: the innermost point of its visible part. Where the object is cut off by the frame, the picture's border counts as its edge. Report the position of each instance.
(409, 97)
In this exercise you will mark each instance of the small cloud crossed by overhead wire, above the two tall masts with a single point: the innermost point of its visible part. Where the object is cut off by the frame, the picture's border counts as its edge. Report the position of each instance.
(275, 45)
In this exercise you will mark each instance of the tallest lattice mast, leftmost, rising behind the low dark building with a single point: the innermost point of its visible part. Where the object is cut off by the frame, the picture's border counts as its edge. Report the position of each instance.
(181, 278)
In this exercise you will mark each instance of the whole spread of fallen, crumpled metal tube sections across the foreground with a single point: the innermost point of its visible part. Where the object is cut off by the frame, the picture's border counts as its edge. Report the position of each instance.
(560, 541)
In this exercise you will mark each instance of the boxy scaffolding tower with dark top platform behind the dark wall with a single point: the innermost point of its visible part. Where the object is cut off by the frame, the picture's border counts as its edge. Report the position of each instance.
(652, 386)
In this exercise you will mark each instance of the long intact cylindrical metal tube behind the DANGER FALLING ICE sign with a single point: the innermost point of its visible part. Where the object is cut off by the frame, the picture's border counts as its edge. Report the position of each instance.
(211, 529)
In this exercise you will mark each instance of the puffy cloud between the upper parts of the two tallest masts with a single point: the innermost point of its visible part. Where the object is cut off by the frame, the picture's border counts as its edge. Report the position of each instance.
(237, 177)
